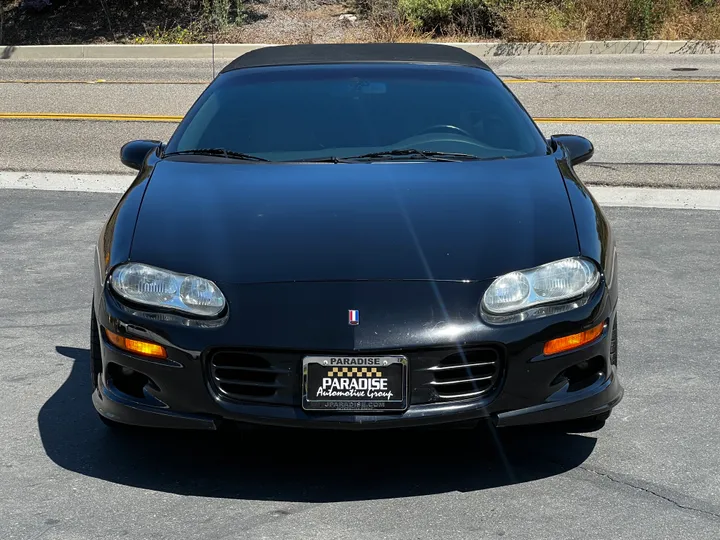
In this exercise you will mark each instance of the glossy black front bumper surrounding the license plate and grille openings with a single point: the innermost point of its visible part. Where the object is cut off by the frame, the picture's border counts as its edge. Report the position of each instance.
(531, 390)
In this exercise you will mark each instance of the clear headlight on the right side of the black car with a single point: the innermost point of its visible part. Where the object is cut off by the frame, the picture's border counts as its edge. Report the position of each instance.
(553, 283)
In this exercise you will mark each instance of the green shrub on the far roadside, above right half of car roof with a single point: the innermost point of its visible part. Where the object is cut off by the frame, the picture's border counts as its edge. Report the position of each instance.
(443, 17)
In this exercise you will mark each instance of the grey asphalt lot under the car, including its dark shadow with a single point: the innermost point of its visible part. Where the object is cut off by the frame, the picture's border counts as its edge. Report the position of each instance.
(650, 473)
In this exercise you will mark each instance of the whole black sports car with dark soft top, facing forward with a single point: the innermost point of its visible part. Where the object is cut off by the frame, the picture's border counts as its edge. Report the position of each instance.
(355, 236)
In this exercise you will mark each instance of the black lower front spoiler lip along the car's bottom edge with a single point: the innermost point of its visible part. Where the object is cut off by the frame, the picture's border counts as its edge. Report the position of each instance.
(596, 399)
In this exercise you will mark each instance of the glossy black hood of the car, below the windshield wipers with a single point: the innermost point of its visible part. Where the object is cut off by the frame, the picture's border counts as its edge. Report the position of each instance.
(254, 223)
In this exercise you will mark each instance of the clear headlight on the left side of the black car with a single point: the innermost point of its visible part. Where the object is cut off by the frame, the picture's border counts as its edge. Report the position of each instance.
(152, 286)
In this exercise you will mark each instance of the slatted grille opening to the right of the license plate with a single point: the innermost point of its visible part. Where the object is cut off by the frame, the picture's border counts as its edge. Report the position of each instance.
(467, 374)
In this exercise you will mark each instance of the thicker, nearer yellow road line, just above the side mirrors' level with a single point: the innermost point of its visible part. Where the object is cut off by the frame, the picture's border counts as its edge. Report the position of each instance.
(175, 119)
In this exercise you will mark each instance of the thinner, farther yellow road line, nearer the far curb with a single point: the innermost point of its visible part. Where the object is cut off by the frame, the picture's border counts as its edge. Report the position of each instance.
(507, 80)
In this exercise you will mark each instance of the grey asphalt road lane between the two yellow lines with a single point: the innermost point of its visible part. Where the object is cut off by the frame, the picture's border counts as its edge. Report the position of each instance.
(545, 98)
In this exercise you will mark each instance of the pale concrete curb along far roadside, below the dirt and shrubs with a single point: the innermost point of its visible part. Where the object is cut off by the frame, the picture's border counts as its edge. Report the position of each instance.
(58, 52)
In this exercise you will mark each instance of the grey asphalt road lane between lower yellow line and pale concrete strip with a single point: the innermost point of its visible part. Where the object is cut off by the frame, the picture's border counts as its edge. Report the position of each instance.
(684, 156)
